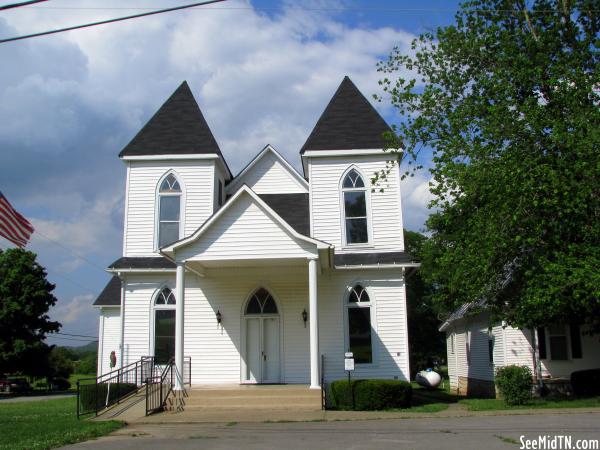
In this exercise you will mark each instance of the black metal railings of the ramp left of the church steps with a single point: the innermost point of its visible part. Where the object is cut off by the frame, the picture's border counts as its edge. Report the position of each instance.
(95, 394)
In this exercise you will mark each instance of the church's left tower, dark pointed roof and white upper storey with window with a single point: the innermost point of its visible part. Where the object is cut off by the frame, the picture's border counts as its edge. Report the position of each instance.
(176, 176)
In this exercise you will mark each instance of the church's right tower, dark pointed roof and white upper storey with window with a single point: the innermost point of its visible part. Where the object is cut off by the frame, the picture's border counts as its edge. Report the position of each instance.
(341, 155)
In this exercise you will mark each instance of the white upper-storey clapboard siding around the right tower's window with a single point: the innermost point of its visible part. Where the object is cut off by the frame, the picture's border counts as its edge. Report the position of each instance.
(385, 208)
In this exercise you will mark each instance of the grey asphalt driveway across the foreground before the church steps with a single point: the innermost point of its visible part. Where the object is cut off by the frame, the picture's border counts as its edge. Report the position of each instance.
(476, 432)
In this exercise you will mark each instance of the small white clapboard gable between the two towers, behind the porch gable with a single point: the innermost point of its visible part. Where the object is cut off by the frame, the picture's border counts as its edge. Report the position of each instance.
(269, 175)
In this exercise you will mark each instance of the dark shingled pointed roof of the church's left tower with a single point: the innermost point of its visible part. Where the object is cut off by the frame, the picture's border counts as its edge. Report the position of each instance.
(177, 128)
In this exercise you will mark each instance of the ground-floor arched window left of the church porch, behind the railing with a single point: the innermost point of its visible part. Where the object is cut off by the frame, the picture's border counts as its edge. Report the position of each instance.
(164, 326)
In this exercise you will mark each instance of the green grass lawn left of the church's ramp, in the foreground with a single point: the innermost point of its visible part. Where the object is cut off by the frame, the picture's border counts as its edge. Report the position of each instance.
(46, 424)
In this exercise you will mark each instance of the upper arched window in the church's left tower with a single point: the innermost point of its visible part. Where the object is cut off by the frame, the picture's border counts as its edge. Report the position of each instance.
(169, 209)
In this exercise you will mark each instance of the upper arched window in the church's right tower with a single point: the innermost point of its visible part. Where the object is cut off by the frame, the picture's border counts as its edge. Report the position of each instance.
(355, 208)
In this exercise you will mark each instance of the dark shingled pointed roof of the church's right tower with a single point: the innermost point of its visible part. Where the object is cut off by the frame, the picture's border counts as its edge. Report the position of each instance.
(348, 122)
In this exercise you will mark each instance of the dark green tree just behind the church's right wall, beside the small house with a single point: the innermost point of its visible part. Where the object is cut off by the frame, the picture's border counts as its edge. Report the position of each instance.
(426, 343)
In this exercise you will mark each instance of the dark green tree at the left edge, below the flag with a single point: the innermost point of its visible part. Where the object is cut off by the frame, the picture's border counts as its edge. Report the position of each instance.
(25, 298)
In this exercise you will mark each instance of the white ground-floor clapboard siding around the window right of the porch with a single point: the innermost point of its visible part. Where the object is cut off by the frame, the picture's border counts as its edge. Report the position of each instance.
(388, 319)
